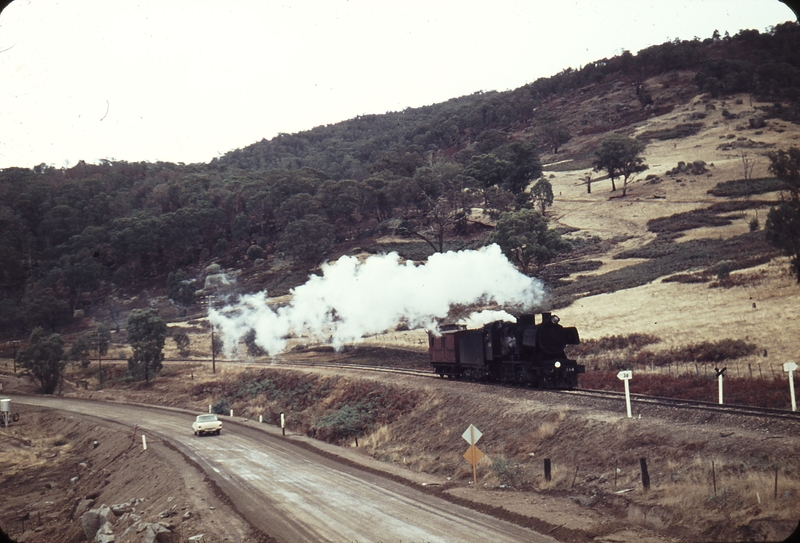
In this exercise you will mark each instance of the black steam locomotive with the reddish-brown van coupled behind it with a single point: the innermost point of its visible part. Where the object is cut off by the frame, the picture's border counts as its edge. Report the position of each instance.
(523, 352)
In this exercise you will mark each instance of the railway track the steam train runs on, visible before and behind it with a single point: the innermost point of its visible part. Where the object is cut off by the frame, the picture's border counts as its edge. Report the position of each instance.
(729, 409)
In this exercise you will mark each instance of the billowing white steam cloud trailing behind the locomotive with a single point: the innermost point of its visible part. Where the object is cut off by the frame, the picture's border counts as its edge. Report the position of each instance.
(354, 299)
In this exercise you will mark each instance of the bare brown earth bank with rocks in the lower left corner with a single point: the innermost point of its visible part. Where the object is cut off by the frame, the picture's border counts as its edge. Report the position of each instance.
(63, 476)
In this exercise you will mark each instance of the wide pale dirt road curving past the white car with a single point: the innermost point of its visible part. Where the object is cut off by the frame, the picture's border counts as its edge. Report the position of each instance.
(293, 494)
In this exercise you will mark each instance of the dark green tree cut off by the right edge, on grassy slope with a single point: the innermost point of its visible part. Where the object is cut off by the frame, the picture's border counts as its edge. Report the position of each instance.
(782, 228)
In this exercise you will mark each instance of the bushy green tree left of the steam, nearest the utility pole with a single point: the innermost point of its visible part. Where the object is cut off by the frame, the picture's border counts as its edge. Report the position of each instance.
(147, 333)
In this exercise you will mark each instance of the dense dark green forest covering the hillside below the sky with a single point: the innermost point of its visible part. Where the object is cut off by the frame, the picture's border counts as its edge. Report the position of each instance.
(70, 236)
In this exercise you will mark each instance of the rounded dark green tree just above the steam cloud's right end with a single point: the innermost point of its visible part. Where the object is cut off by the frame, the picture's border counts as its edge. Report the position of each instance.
(525, 239)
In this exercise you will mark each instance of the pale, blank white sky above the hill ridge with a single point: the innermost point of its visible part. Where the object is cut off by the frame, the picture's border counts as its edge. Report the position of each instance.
(189, 80)
